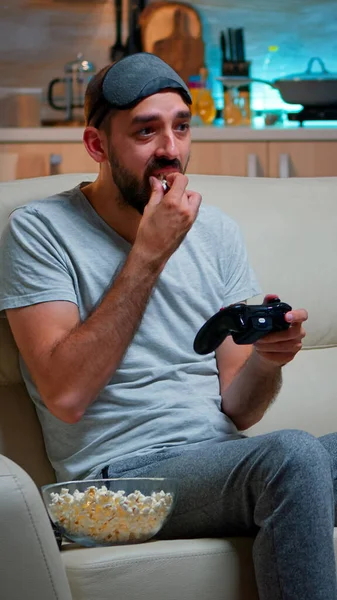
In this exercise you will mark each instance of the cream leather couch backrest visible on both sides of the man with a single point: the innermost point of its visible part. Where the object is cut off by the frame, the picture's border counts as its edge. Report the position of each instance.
(290, 230)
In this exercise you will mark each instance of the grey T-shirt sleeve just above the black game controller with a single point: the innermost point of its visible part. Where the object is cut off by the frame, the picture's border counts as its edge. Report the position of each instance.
(240, 280)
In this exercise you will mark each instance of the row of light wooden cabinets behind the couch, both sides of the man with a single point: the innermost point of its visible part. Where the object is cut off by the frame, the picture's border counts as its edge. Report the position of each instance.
(238, 158)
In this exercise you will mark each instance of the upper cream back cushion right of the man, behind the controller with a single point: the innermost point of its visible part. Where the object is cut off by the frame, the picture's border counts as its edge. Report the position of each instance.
(290, 230)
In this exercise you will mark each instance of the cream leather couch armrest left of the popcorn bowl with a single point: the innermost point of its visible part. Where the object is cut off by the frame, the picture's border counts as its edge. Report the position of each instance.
(30, 562)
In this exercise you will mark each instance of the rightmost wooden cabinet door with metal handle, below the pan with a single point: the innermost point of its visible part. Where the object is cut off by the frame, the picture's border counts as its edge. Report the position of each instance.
(302, 159)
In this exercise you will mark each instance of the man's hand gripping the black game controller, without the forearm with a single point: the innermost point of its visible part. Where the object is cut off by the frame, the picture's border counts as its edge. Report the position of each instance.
(281, 347)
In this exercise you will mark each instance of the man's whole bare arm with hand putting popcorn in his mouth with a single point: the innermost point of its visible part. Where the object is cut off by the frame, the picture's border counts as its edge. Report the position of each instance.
(69, 361)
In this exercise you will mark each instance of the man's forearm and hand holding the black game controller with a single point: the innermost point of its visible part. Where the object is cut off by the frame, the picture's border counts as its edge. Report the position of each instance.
(250, 376)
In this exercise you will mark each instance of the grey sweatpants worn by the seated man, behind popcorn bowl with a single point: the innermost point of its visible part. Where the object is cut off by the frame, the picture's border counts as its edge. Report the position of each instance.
(280, 487)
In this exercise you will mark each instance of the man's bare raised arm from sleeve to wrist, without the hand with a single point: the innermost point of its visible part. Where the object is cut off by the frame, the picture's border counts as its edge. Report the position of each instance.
(71, 361)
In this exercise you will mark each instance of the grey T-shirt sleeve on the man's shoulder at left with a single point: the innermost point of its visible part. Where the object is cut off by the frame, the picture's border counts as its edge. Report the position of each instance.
(33, 264)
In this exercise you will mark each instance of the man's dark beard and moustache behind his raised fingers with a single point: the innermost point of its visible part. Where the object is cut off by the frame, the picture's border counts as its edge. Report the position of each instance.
(133, 191)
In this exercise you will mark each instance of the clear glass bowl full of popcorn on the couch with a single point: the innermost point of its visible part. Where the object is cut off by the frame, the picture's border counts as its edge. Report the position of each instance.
(108, 512)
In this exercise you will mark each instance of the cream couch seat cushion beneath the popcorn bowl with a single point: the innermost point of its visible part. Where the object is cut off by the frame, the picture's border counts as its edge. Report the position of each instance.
(188, 569)
